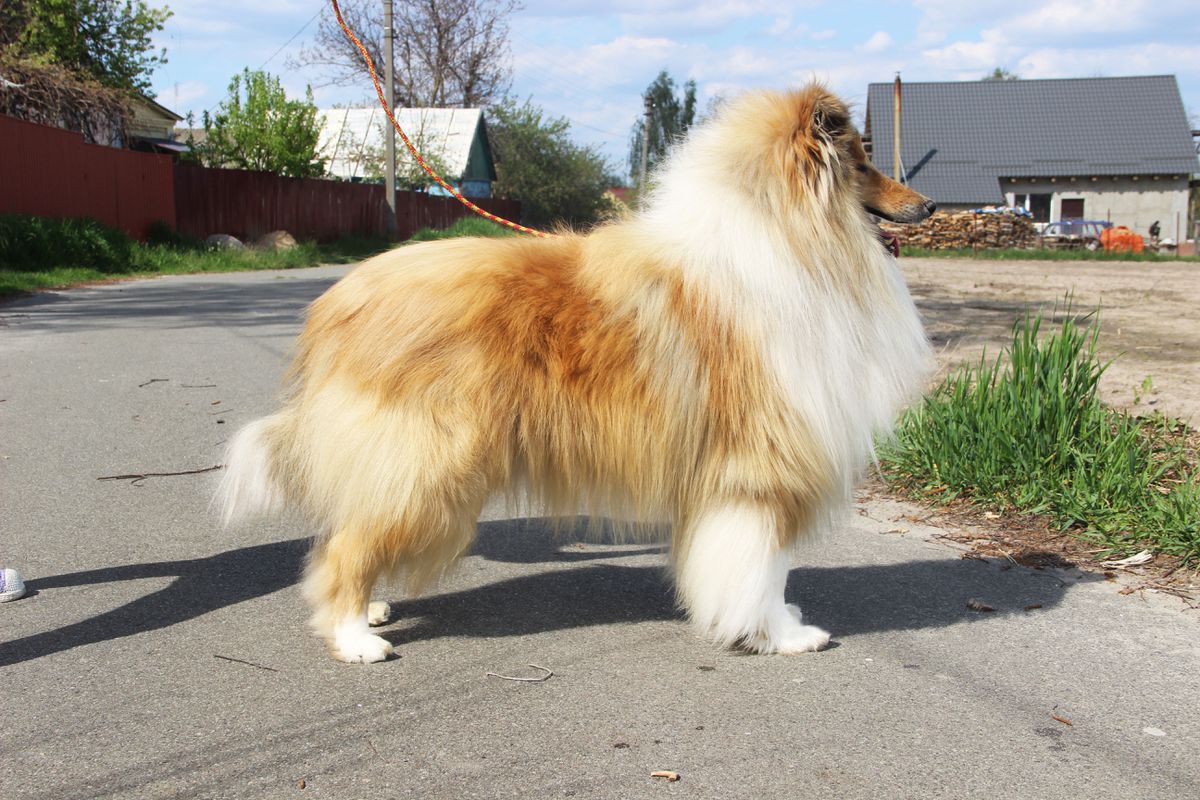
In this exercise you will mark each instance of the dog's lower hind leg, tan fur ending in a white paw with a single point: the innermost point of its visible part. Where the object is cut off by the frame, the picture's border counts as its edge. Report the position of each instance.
(343, 570)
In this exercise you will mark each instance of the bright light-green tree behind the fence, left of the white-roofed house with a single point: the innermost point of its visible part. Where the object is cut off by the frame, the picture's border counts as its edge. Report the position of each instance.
(259, 128)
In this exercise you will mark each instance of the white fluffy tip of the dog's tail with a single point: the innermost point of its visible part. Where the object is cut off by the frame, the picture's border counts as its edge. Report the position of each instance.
(251, 484)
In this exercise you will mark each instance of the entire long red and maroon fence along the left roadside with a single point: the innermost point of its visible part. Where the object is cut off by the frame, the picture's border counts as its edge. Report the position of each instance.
(53, 173)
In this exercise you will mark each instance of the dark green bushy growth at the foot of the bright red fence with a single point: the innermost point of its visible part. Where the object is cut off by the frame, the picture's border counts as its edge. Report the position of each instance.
(32, 244)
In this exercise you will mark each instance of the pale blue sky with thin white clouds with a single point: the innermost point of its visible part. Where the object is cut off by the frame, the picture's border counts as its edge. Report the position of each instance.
(590, 62)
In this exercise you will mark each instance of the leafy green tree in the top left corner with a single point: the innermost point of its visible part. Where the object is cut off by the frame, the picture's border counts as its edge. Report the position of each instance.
(109, 41)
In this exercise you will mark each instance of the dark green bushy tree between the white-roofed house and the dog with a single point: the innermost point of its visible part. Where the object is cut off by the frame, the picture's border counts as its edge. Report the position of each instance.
(538, 164)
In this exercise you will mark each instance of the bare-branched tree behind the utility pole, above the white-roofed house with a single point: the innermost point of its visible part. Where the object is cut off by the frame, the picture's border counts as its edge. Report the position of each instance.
(448, 53)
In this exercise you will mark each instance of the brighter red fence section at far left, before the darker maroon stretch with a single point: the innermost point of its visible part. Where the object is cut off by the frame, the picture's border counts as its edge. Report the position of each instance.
(53, 173)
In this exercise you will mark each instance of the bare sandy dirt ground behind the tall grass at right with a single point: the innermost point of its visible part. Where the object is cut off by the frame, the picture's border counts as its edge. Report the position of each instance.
(1150, 320)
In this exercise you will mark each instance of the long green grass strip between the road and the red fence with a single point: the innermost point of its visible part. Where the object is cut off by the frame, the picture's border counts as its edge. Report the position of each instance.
(43, 254)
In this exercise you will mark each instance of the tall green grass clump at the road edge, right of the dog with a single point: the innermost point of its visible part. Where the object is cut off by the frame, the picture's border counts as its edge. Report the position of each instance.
(1027, 432)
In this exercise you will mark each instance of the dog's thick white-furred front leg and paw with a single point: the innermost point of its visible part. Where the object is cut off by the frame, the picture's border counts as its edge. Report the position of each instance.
(731, 575)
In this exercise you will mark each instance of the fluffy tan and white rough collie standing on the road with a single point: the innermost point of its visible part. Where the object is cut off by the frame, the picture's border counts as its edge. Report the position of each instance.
(719, 362)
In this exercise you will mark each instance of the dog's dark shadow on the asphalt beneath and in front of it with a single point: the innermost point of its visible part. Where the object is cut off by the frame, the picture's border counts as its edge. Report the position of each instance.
(847, 600)
